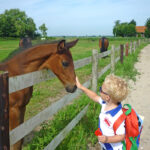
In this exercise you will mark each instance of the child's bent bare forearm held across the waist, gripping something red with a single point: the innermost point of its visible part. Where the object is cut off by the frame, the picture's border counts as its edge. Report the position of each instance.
(111, 139)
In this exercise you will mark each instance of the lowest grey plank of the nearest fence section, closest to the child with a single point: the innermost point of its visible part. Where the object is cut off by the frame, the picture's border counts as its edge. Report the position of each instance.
(57, 140)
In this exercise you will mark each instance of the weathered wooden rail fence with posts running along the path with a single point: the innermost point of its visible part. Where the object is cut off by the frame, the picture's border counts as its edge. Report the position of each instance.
(20, 82)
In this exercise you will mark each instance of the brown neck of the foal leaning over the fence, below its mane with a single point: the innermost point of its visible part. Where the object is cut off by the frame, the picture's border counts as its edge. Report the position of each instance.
(31, 59)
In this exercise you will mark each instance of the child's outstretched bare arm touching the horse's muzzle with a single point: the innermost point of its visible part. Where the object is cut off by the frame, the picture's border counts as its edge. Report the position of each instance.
(92, 95)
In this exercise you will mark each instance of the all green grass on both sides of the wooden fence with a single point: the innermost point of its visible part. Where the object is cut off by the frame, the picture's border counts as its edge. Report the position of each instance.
(44, 94)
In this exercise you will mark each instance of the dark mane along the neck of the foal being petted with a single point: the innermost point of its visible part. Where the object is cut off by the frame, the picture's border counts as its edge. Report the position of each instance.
(20, 50)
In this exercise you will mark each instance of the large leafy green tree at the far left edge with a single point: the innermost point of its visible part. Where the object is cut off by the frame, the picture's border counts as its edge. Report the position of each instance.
(15, 23)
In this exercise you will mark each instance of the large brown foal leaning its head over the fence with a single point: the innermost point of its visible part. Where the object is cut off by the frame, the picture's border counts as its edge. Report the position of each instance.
(55, 57)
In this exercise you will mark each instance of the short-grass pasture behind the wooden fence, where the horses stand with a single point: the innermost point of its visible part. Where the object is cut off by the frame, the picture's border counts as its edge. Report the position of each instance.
(44, 90)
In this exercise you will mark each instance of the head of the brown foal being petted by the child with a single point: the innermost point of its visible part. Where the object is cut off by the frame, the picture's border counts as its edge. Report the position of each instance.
(61, 64)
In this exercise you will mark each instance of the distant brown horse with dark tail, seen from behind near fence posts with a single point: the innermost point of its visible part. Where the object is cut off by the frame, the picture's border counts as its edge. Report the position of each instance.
(103, 44)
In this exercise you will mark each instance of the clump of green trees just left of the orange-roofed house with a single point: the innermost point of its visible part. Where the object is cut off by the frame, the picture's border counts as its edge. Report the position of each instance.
(124, 29)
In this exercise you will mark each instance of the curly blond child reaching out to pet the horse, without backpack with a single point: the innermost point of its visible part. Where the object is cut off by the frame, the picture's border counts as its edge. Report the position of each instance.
(112, 92)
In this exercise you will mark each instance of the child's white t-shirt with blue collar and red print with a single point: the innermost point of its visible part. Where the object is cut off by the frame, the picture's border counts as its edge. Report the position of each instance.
(106, 121)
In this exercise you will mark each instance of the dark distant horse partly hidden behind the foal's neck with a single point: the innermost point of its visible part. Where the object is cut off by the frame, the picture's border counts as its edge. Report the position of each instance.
(25, 43)
